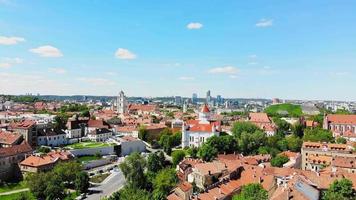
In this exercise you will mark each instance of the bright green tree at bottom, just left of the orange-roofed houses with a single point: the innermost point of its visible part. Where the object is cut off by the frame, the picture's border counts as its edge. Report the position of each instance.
(164, 182)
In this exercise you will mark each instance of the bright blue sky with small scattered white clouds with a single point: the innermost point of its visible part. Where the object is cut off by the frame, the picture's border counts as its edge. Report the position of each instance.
(286, 49)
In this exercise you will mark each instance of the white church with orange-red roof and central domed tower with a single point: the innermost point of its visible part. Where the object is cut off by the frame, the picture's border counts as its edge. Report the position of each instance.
(196, 132)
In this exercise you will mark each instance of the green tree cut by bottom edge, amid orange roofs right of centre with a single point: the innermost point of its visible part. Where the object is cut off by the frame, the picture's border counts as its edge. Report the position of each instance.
(252, 191)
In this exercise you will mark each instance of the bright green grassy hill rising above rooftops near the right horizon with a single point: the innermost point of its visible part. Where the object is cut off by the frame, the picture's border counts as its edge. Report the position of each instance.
(279, 109)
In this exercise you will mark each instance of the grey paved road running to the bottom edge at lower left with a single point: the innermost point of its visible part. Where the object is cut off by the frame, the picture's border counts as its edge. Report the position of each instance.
(111, 184)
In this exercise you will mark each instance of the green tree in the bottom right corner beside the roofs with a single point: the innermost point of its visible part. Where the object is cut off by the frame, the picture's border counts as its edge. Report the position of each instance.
(340, 189)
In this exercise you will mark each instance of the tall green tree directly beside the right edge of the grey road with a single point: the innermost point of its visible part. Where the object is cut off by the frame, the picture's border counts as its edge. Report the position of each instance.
(133, 169)
